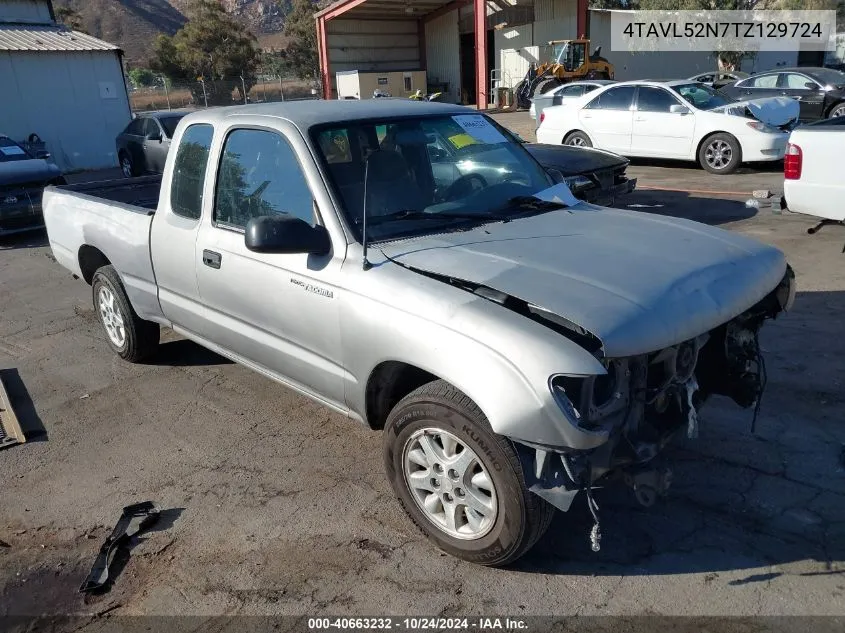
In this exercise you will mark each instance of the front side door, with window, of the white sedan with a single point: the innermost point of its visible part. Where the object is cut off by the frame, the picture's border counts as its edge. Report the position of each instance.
(658, 131)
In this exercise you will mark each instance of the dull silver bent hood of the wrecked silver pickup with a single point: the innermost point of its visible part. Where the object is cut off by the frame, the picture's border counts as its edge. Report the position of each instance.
(639, 282)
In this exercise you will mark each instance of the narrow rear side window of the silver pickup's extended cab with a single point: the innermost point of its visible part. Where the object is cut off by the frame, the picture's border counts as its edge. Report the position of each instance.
(189, 171)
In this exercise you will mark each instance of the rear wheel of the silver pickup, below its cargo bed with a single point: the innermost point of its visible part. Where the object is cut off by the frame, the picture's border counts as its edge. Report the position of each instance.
(130, 337)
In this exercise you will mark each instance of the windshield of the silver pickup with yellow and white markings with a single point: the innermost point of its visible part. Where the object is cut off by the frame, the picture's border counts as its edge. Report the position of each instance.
(427, 174)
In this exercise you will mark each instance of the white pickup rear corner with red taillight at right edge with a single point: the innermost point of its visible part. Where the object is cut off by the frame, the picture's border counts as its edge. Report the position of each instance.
(813, 176)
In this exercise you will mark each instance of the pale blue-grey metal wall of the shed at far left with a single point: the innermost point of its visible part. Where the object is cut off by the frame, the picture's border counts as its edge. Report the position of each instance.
(76, 102)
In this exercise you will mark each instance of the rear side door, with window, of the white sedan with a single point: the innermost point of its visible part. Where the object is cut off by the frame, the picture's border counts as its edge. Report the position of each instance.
(607, 119)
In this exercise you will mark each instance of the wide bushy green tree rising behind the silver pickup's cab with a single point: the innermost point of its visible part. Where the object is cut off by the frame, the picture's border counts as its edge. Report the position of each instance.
(212, 50)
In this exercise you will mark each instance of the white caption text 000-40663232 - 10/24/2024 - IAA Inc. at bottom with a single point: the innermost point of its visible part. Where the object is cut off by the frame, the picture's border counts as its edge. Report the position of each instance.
(413, 624)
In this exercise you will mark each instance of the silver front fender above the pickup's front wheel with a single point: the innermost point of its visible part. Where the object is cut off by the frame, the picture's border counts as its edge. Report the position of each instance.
(497, 357)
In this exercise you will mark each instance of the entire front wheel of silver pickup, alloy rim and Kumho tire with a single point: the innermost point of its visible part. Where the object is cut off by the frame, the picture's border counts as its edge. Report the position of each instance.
(459, 482)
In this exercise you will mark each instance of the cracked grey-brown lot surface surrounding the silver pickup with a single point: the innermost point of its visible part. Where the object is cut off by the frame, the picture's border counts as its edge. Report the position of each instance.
(274, 505)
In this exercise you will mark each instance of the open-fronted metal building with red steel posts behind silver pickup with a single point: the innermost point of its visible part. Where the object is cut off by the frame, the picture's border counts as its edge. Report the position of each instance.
(459, 43)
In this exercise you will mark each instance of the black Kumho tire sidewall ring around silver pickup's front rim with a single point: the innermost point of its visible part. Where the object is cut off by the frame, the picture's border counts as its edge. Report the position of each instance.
(507, 532)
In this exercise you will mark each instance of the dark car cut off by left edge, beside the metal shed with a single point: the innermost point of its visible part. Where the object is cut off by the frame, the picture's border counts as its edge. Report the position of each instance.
(23, 176)
